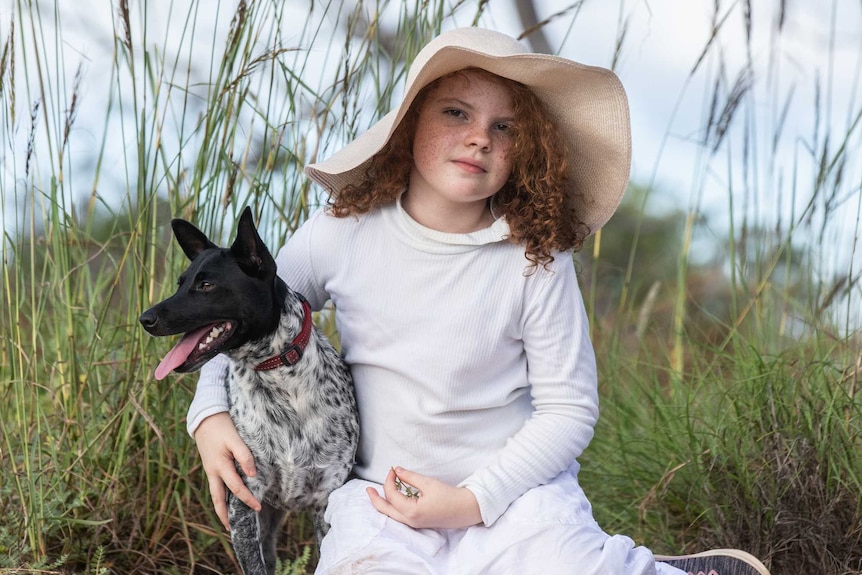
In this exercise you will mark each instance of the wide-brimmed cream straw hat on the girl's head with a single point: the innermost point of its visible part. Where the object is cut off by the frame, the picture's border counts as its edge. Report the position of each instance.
(587, 103)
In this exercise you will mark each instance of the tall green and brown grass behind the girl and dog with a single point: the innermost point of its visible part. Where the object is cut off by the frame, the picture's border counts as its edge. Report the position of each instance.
(729, 388)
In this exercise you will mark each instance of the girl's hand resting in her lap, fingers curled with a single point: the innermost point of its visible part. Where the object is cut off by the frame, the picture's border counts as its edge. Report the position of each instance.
(437, 505)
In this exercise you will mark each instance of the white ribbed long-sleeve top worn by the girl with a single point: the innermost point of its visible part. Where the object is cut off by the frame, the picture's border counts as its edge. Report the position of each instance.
(467, 368)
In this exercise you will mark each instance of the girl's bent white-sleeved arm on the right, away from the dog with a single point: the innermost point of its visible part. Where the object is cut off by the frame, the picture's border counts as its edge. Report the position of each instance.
(564, 391)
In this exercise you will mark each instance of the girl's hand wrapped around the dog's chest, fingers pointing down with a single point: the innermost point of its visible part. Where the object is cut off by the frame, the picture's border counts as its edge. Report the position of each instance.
(219, 446)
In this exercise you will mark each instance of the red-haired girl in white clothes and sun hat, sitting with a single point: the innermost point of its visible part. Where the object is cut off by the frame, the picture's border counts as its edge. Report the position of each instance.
(446, 251)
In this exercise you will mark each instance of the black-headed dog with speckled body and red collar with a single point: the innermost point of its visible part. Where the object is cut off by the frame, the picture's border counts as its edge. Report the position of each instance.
(290, 392)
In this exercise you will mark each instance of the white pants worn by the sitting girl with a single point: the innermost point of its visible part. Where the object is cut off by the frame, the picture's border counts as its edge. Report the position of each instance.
(549, 530)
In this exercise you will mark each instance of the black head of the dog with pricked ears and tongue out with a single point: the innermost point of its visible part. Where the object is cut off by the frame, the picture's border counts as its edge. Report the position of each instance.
(225, 298)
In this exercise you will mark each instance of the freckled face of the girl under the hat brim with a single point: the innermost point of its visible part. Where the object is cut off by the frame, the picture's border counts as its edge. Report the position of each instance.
(462, 144)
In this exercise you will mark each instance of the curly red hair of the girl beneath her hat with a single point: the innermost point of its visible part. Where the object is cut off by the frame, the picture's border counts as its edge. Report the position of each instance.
(534, 199)
